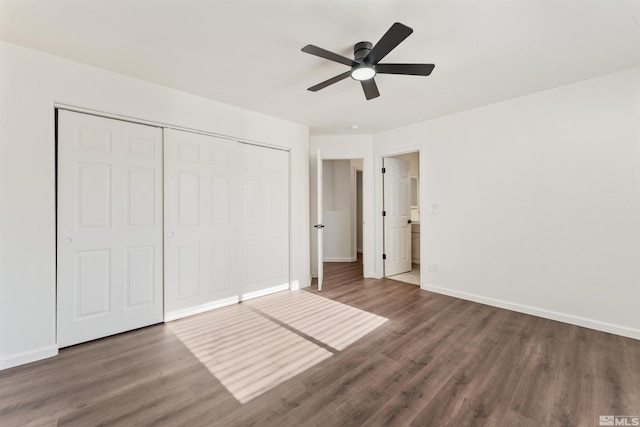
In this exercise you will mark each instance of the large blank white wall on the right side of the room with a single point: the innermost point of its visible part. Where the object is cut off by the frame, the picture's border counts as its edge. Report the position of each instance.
(539, 202)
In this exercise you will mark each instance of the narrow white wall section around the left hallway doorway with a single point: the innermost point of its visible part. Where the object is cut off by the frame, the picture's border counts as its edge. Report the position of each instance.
(345, 147)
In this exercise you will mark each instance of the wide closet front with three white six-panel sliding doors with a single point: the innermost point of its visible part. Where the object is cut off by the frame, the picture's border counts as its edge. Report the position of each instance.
(156, 223)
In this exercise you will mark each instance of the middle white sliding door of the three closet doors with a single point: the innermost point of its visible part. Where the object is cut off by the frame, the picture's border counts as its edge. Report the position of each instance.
(202, 188)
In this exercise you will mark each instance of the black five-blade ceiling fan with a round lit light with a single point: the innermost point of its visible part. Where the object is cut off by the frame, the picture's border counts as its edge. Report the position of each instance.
(366, 61)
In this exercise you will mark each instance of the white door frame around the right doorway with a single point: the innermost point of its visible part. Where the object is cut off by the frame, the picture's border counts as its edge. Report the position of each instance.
(379, 207)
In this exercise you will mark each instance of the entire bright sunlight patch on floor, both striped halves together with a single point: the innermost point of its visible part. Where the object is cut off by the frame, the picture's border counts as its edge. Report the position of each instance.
(249, 353)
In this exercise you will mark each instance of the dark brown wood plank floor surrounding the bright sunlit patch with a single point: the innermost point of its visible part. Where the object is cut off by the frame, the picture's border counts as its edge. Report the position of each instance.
(437, 361)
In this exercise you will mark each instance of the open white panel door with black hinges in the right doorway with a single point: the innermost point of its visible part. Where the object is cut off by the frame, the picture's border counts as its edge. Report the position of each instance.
(397, 215)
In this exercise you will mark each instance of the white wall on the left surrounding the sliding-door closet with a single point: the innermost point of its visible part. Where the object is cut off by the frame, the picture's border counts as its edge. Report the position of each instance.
(30, 83)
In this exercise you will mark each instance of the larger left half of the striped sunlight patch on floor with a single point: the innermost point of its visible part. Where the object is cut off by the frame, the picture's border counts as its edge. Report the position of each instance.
(247, 353)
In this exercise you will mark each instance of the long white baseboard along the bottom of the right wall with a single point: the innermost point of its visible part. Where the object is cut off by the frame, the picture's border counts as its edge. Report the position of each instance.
(540, 312)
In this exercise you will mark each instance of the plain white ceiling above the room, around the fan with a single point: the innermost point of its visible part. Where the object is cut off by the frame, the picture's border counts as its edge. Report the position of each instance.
(247, 52)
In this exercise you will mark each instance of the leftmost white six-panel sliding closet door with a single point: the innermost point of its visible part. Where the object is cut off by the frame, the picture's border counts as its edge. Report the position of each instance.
(109, 227)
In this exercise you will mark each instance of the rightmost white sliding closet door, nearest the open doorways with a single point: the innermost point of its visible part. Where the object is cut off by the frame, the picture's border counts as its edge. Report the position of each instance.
(265, 213)
